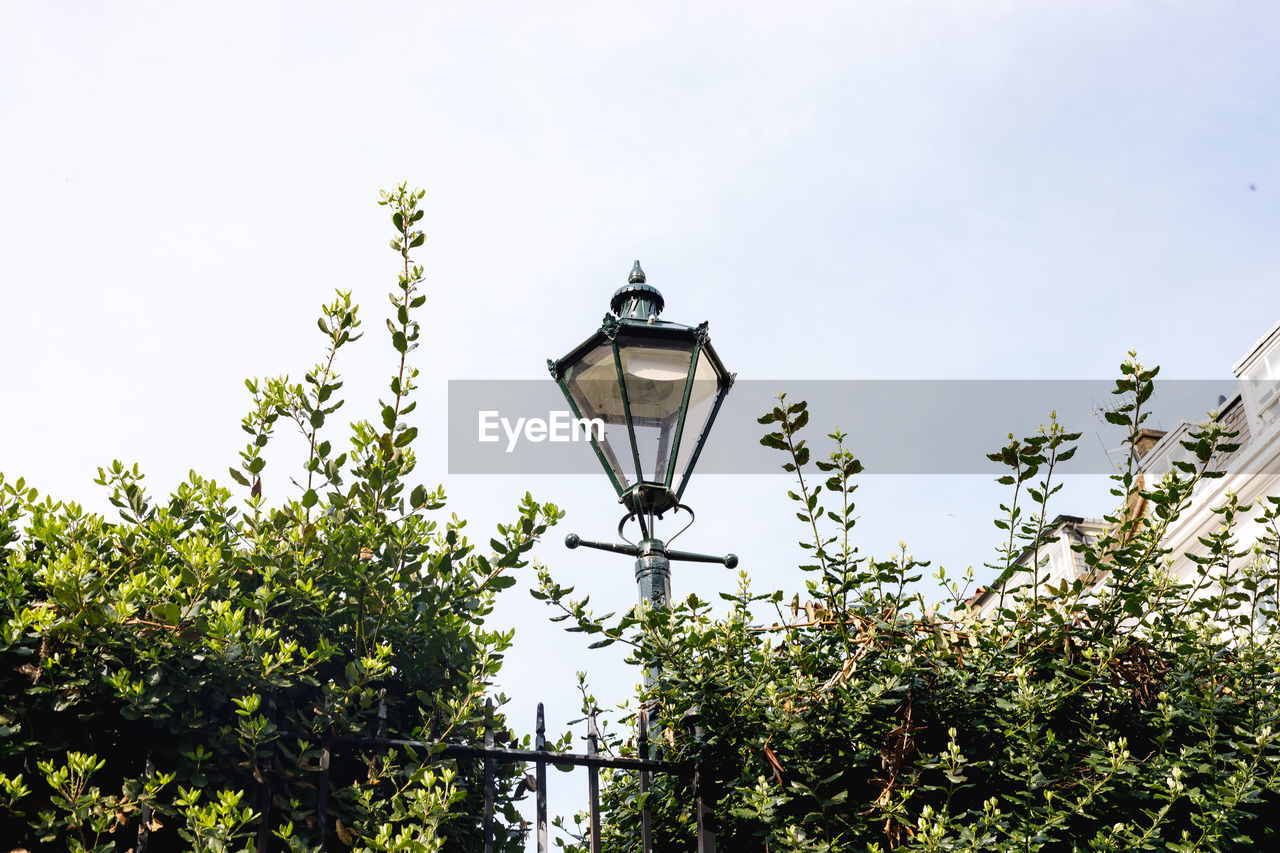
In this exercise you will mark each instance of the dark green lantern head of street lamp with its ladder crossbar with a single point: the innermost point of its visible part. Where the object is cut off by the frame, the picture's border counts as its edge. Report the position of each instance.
(656, 389)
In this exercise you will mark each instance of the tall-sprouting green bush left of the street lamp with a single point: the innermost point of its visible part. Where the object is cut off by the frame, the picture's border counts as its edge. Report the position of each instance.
(167, 677)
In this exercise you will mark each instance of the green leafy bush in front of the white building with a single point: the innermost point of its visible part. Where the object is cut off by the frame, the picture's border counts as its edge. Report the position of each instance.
(1137, 714)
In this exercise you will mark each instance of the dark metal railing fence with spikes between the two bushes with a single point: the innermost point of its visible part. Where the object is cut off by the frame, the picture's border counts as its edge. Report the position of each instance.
(541, 758)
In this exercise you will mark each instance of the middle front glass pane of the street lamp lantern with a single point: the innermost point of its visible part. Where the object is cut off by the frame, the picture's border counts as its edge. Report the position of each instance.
(656, 373)
